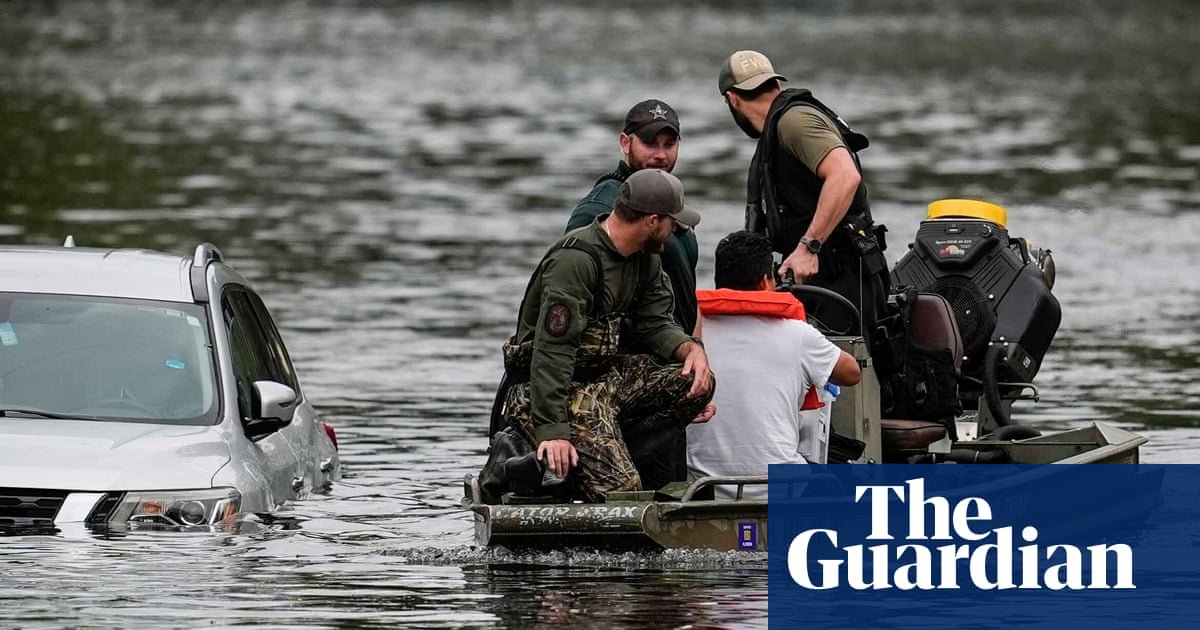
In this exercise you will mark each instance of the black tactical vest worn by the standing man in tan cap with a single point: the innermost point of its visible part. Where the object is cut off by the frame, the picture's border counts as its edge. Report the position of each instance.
(782, 196)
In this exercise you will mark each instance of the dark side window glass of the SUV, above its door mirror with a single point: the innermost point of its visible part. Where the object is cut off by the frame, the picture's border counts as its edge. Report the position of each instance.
(259, 353)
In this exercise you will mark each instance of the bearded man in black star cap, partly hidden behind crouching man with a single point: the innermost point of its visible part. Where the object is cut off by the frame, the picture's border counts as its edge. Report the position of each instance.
(651, 140)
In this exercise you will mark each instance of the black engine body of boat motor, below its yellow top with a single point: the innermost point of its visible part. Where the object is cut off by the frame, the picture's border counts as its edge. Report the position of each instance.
(998, 292)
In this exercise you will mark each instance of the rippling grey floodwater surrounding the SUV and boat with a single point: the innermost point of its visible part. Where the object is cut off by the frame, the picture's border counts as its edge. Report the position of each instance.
(388, 173)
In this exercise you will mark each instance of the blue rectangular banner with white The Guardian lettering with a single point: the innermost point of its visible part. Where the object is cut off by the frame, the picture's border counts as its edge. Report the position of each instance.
(985, 547)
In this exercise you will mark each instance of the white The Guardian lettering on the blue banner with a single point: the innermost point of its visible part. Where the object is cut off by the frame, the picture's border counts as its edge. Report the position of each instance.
(986, 559)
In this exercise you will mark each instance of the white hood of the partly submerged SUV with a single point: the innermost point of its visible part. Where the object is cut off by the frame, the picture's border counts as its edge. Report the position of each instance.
(103, 457)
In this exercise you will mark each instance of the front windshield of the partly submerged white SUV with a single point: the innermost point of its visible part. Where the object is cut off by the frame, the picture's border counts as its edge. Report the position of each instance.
(105, 359)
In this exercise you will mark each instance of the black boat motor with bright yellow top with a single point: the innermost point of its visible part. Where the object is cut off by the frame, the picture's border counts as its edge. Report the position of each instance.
(999, 289)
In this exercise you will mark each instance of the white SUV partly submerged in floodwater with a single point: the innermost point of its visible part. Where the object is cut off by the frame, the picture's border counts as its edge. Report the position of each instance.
(142, 388)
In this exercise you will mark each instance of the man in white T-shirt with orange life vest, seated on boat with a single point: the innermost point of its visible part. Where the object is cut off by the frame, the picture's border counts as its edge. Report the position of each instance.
(771, 362)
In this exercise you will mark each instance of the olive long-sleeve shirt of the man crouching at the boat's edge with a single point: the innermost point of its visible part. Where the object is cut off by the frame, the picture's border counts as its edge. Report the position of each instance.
(556, 311)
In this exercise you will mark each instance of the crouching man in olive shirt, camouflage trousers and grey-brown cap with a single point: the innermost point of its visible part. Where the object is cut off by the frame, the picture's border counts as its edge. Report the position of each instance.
(586, 404)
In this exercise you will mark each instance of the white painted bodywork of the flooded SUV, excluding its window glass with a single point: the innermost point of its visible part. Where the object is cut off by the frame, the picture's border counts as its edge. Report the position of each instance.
(93, 460)
